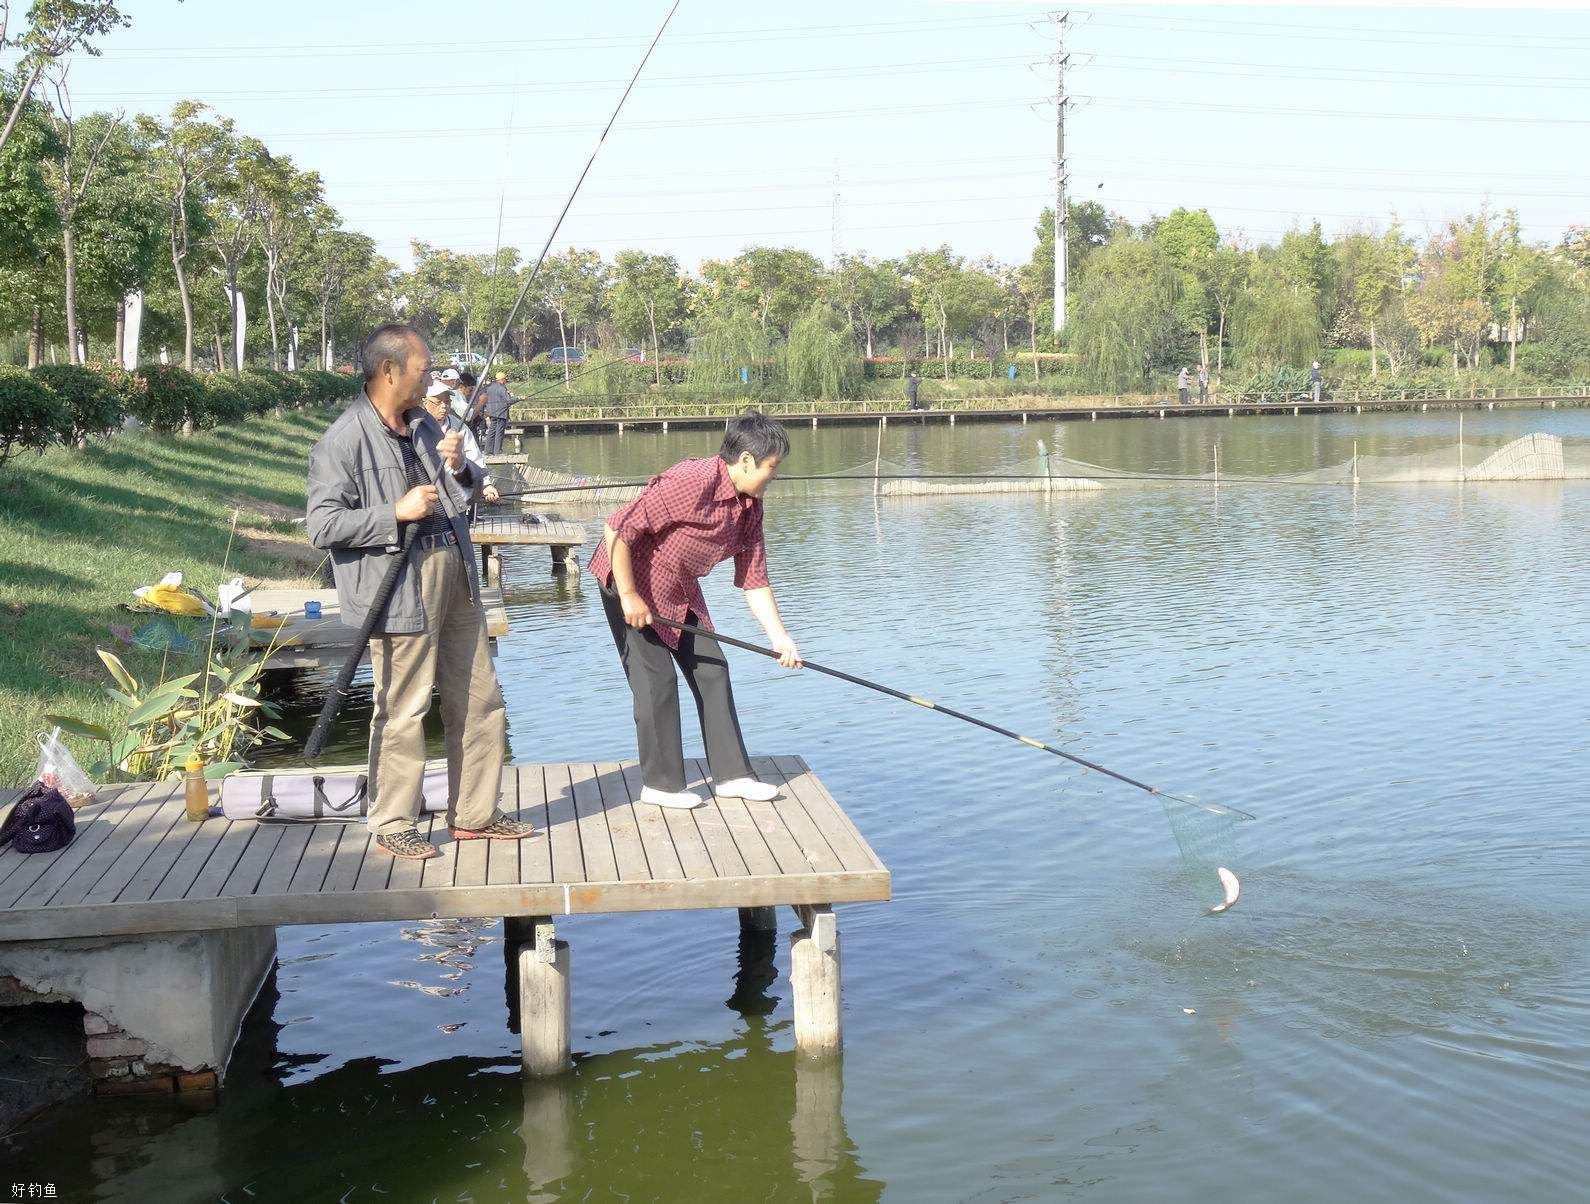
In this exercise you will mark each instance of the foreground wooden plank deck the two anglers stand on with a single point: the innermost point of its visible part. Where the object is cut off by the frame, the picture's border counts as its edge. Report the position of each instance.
(139, 866)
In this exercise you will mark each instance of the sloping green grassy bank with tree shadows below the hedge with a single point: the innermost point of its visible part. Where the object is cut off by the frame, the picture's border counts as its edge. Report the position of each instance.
(82, 530)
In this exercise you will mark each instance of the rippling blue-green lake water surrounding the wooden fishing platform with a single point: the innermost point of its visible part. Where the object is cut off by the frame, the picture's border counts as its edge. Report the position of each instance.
(1390, 678)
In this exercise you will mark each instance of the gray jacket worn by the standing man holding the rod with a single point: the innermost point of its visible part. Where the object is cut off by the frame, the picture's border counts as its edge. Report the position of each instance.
(355, 483)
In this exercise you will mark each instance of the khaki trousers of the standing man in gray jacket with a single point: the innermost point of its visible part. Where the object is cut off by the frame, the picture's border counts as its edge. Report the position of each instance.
(452, 658)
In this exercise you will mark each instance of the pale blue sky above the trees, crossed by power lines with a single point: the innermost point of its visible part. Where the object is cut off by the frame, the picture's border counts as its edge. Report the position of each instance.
(877, 128)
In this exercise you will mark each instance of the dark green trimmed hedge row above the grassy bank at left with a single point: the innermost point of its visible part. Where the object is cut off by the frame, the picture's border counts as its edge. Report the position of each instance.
(68, 403)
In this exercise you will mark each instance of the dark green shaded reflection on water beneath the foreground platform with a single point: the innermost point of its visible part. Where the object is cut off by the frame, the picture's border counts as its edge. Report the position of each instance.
(735, 1119)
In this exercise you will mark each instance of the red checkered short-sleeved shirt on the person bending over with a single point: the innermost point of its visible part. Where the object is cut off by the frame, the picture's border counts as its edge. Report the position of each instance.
(688, 521)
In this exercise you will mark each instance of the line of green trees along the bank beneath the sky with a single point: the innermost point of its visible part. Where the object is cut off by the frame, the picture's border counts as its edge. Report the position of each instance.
(192, 230)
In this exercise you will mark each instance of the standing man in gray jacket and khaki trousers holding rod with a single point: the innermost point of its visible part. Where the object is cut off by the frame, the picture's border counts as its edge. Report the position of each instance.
(382, 465)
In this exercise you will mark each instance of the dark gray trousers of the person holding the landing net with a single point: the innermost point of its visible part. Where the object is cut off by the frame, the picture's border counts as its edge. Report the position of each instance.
(650, 667)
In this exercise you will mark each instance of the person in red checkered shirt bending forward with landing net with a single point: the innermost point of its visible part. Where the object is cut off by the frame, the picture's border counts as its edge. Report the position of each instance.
(651, 562)
